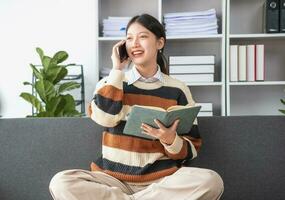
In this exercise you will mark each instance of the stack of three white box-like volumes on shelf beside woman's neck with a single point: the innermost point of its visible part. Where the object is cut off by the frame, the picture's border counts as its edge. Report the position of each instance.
(191, 69)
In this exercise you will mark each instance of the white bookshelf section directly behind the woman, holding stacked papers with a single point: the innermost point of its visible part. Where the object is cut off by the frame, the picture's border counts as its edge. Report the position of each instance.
(213, 92)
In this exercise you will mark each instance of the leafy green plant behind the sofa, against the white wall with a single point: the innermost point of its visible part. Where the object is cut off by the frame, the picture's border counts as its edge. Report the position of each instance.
(54, 101)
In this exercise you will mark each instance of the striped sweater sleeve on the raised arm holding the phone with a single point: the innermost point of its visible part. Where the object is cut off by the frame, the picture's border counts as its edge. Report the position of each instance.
(106, 106)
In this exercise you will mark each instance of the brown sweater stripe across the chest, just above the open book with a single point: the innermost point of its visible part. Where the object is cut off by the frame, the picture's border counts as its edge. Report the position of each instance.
(148, 100)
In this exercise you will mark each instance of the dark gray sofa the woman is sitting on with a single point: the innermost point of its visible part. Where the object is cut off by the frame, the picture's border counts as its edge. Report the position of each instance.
(248, 152)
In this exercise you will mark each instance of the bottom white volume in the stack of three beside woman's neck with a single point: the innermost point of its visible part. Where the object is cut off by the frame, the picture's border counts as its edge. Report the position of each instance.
(190, 78)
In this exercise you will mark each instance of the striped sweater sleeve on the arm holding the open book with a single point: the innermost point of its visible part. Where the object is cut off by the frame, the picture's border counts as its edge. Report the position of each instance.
(185, 147)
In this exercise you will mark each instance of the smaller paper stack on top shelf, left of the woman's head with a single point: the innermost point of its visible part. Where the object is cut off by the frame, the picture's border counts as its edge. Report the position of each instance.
(115, 26)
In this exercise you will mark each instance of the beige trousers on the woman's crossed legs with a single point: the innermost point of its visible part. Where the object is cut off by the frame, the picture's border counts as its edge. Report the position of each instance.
(187, 183)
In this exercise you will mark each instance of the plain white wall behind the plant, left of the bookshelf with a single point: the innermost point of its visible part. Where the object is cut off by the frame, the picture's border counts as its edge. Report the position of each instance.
(53, 25)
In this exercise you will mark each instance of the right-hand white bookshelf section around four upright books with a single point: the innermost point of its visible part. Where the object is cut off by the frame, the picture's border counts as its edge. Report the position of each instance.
(245, 26)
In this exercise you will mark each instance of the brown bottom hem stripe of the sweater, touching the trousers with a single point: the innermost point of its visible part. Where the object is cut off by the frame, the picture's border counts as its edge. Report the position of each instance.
(136, 178)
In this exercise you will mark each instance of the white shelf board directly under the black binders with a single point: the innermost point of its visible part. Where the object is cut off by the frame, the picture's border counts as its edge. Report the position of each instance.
(258, 36)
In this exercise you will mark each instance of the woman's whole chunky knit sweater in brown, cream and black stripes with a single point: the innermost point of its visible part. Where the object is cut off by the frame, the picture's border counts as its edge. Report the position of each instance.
(130, 158)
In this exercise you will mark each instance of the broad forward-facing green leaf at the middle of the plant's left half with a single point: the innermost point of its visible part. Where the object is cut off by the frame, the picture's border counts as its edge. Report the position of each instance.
(45, 89)
